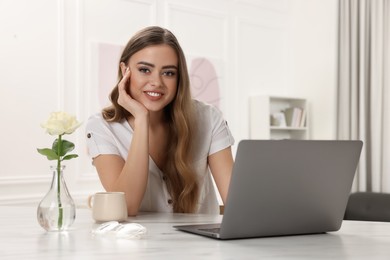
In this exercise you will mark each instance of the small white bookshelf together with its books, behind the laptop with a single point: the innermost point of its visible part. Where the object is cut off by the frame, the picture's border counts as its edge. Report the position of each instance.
(273, 117)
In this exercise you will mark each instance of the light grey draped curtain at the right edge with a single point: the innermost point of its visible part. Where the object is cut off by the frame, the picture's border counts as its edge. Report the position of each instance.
(363, 88)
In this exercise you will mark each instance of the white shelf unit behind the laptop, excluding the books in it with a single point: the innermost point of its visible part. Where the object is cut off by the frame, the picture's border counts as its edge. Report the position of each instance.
(260, 111)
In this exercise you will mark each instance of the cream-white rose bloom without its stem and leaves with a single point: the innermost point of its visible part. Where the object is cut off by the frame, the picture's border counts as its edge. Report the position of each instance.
(60, 123)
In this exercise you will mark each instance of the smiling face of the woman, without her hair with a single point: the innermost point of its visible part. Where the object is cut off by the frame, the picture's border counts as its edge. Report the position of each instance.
(154, 76)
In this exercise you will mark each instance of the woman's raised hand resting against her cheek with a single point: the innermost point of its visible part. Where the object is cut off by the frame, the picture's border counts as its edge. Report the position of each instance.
(126, 101)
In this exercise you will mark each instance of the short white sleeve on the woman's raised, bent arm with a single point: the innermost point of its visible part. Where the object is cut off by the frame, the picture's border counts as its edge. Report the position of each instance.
(100, 138)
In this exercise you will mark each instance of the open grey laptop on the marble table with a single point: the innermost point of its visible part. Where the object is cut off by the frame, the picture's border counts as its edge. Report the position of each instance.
(286, 187)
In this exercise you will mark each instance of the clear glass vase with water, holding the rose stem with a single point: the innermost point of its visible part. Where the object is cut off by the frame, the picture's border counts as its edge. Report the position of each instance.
(57, 211)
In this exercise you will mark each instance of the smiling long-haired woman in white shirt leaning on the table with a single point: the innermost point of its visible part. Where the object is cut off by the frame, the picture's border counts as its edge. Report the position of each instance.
(154, 142)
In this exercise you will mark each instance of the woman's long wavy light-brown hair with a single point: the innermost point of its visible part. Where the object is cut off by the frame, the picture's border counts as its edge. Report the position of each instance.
(181, 177)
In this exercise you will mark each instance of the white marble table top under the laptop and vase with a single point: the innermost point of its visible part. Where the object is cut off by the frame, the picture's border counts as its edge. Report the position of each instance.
(22, 238)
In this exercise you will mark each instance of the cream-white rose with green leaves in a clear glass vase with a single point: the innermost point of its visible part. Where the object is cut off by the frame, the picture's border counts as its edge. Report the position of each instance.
(57, 211)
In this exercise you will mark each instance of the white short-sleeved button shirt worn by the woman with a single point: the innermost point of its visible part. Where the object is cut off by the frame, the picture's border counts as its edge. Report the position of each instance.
(212, 135)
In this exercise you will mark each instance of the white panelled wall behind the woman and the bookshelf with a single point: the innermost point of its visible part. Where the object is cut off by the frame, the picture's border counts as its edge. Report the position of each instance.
(276, 47)
